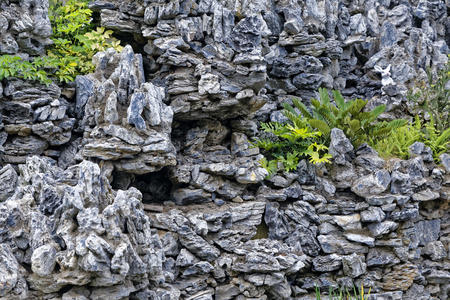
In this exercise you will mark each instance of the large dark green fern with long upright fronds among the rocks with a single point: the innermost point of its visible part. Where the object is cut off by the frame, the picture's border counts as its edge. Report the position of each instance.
(358, 125)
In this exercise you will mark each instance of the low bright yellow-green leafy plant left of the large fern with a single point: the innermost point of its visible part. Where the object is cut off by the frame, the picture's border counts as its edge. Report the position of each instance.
(288, 143)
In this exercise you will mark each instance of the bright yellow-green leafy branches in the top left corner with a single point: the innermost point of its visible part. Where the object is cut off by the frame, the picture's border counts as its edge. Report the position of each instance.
(74, 44)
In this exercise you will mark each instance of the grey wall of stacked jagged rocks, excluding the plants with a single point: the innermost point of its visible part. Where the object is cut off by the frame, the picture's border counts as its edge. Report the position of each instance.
(139, 182)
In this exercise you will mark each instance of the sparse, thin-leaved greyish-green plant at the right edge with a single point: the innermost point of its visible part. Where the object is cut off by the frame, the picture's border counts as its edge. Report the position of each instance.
(433, 97)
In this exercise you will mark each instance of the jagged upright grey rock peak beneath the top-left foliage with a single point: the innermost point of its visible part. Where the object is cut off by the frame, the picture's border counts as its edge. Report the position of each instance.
(140, 139)
